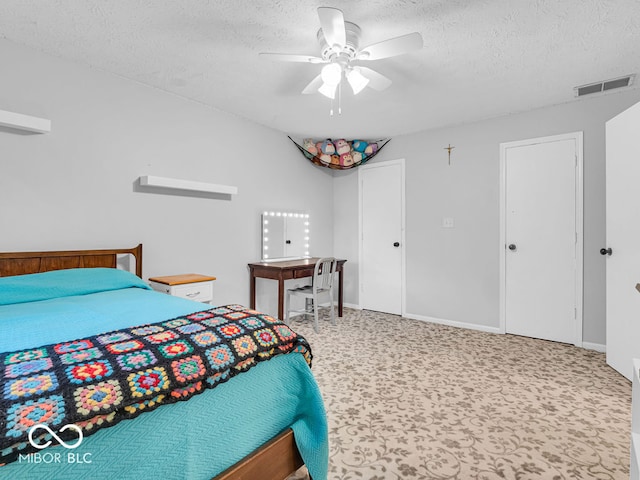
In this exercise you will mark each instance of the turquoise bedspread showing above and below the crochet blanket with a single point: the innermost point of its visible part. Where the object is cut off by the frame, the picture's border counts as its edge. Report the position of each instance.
(181, 440)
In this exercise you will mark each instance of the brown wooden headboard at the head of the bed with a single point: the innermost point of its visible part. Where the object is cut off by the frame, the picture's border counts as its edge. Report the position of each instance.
(22, 263)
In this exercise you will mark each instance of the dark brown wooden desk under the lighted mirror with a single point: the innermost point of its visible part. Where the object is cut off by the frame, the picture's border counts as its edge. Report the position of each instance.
(287, 270)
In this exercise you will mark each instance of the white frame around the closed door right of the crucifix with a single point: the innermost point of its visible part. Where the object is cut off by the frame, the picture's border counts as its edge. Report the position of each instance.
(578, 138)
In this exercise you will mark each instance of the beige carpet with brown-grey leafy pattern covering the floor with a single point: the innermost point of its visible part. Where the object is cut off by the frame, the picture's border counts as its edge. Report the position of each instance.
(408, 399)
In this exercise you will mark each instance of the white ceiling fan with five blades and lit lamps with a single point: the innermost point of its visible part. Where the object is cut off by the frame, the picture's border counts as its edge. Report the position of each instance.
(341, 53)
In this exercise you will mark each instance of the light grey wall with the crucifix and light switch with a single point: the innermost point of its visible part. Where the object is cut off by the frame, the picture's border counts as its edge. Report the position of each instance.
(452, 274)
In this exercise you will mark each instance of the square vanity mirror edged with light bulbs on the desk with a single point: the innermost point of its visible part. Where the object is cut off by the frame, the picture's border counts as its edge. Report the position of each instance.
(285, 236)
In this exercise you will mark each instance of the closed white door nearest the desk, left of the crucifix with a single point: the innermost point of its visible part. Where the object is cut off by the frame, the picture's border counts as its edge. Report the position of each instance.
(382, 236)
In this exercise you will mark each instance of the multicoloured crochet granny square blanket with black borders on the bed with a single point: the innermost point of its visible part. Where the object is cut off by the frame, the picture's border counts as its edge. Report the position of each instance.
(98, 381)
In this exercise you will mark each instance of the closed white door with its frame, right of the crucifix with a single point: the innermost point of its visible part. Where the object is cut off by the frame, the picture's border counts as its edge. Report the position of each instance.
(542, 234)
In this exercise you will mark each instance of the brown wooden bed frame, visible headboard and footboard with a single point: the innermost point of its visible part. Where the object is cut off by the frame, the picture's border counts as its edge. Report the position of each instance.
(276, 459)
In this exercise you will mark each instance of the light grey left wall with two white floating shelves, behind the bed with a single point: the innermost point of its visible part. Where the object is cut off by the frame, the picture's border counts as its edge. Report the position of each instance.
(75, 188)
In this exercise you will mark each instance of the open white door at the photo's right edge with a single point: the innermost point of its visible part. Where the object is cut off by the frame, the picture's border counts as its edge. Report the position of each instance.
(623, 237)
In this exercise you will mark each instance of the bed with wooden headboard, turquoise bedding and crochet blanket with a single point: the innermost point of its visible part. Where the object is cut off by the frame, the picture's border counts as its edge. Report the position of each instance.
(263, 420)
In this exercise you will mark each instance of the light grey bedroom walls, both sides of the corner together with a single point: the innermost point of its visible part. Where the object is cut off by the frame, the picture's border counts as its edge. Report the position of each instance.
(75, 188)
